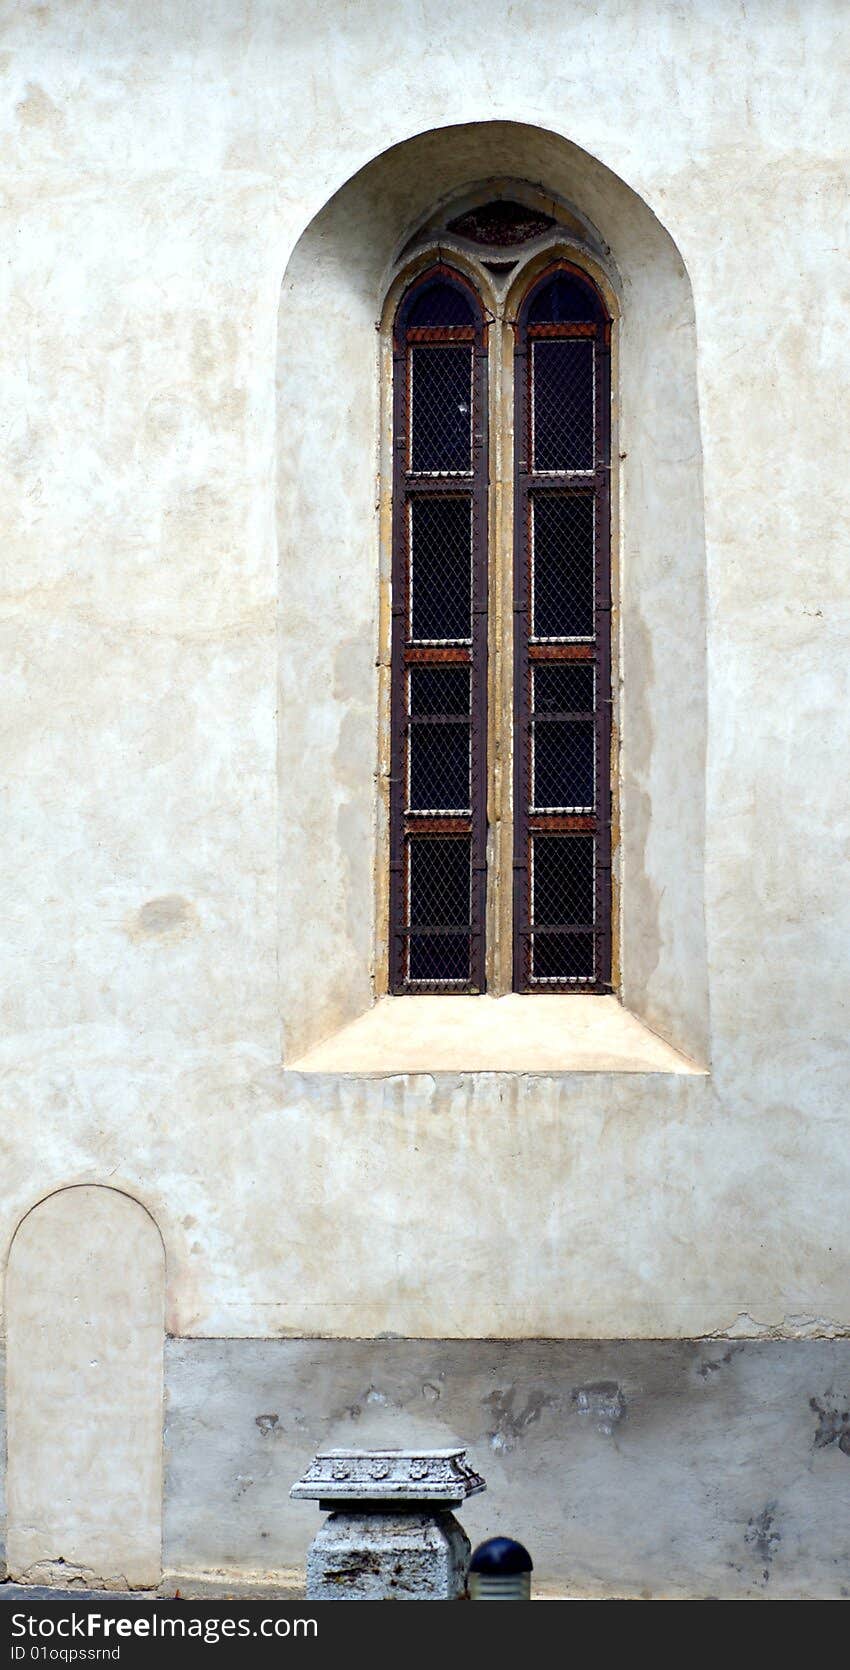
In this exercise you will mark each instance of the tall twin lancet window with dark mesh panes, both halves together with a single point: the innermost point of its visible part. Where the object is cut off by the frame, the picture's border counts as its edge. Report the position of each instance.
(560, 729)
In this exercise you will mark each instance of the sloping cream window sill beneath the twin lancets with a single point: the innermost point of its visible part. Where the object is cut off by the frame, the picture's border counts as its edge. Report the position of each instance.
(549, 1035)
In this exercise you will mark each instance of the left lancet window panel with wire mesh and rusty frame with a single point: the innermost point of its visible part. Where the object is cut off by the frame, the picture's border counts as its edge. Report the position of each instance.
(440, 645)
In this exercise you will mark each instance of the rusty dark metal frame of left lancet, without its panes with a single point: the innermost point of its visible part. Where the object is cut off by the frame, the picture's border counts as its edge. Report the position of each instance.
(415, 488)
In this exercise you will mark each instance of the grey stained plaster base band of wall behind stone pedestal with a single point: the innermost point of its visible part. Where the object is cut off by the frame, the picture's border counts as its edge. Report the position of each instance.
(629, 1469)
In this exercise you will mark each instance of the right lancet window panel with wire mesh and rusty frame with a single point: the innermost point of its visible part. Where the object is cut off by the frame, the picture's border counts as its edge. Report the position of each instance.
(562, 640)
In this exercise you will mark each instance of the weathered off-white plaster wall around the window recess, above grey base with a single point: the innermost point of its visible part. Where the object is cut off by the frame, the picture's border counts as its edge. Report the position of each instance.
(159, 168)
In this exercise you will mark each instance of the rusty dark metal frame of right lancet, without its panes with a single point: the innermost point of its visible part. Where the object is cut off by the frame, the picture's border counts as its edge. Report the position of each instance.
(585, 649)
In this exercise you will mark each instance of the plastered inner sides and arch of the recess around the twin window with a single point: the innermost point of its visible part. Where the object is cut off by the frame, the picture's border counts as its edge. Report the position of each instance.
(330, 577)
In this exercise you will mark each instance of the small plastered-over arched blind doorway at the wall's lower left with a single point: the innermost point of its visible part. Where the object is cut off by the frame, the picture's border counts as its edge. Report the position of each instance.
(86, 1302)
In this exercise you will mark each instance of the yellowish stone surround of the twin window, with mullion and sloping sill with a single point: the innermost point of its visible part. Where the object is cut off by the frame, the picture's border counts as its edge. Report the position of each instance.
(502, 1031)
